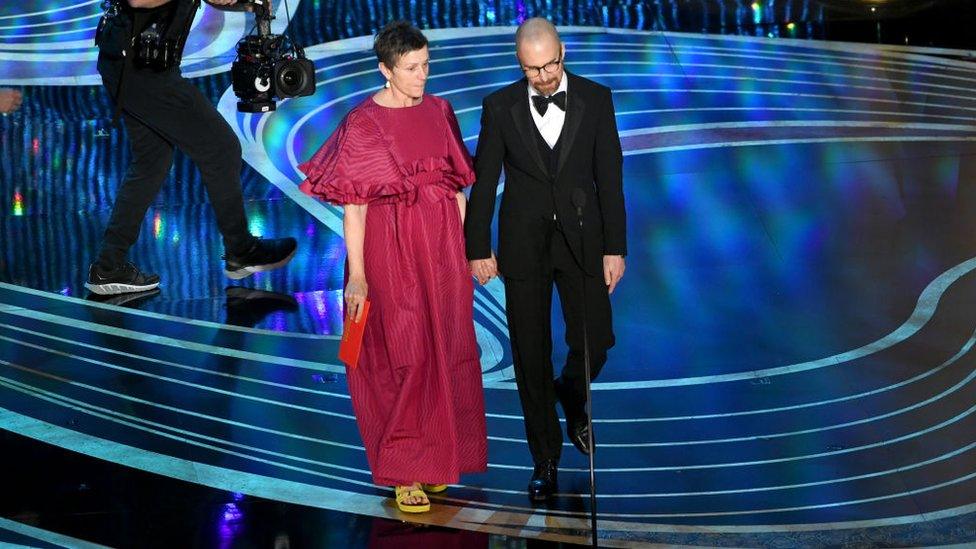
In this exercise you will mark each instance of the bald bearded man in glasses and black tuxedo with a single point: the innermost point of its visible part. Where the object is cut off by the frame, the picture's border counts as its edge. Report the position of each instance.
(553, 132)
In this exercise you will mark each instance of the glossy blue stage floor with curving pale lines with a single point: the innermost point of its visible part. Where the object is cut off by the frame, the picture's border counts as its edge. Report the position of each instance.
(794, 356)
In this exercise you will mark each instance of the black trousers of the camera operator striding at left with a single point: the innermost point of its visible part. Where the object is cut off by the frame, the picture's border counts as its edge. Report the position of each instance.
(163, 111)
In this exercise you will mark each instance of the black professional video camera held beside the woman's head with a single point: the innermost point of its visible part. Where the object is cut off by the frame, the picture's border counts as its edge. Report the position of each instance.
(268, 66)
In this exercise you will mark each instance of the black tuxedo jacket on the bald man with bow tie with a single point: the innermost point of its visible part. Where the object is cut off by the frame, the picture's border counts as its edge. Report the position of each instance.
(589, 158)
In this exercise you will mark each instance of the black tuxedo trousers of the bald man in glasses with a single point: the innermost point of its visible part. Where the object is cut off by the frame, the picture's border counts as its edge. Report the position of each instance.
(528, 304)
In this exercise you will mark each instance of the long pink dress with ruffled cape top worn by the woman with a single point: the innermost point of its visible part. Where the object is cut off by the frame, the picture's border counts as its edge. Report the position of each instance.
(417, 391)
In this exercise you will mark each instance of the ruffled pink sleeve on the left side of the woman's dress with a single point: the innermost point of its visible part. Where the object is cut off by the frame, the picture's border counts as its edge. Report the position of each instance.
(353, 166)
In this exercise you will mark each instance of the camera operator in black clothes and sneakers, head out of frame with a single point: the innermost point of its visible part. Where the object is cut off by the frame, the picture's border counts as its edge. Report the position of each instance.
(162, 111)
